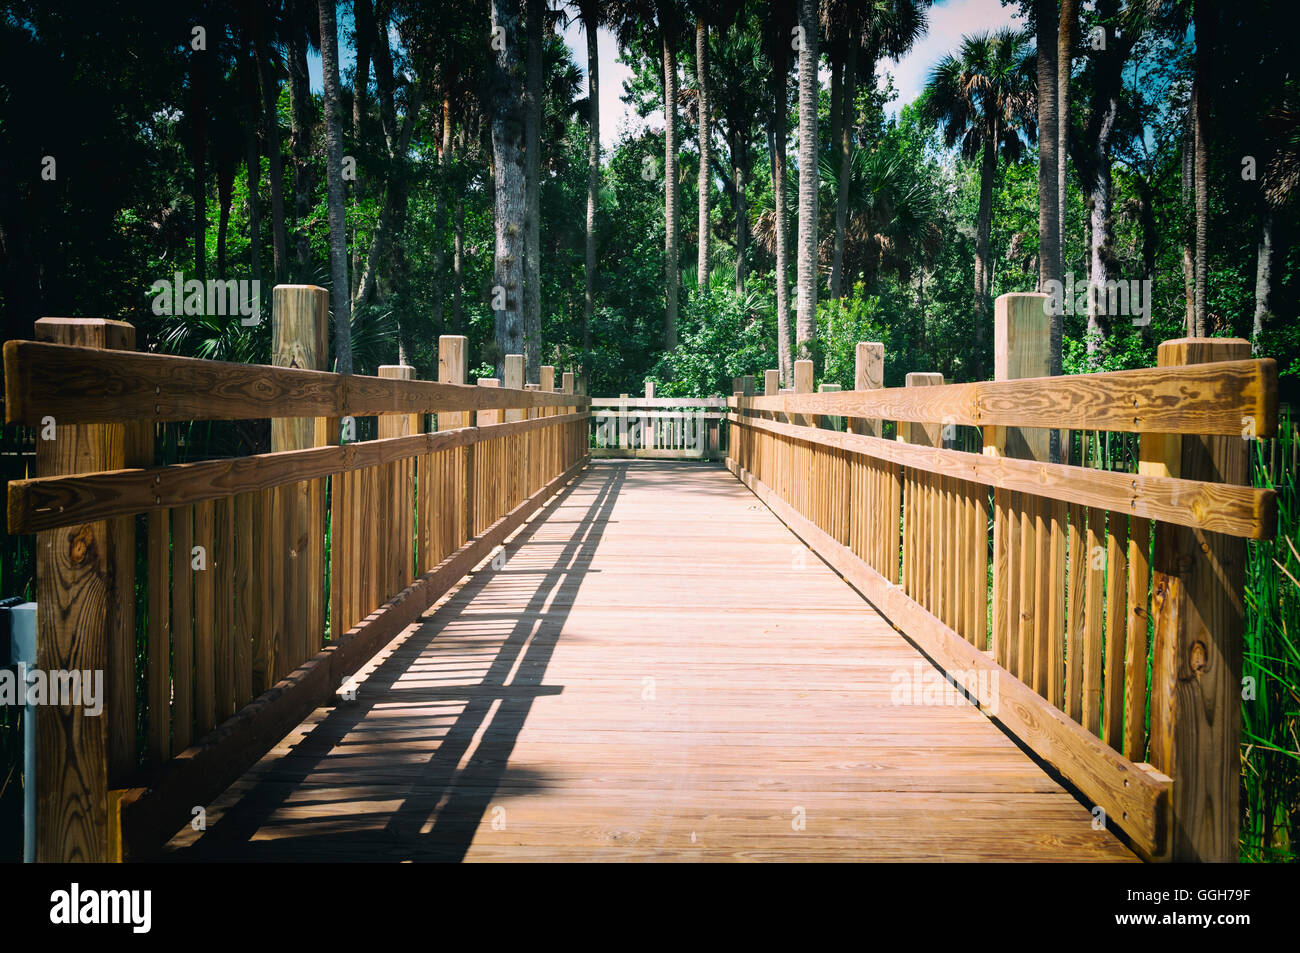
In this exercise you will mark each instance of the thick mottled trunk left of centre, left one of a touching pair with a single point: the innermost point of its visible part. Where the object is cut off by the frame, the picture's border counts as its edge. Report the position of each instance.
(506, 107)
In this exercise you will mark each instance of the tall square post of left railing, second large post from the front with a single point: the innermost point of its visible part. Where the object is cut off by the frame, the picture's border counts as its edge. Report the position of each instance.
(300, 339)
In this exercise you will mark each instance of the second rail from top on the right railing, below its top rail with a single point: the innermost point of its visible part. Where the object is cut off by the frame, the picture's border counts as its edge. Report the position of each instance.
(1220, 508)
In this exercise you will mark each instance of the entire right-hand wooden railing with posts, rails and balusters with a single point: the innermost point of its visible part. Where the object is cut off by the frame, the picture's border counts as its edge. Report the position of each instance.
(1098, 577)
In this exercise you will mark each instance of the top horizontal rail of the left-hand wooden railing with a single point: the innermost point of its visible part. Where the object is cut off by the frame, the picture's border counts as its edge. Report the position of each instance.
(86, 385)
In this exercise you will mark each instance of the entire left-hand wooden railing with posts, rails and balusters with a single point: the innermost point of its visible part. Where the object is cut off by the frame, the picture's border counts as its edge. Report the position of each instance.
(271, 579)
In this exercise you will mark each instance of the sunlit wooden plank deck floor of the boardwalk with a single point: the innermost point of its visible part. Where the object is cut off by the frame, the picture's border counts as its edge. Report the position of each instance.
(658, 672)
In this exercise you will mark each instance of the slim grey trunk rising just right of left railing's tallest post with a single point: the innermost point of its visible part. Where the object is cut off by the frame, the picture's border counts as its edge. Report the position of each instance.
(340, 302)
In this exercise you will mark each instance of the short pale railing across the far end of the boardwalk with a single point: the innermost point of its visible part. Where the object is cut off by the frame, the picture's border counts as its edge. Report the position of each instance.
(660, 427)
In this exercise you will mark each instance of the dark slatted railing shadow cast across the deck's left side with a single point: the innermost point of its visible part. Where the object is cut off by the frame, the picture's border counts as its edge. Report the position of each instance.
(444, 804)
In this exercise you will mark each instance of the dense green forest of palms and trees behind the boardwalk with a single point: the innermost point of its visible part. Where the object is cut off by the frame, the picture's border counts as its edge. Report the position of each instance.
(445, 168)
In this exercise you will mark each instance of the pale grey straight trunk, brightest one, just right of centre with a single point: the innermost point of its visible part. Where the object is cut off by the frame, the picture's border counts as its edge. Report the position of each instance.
(805, 330)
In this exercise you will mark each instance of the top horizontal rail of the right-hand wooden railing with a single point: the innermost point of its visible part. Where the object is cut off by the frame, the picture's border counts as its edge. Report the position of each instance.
(1227, 398)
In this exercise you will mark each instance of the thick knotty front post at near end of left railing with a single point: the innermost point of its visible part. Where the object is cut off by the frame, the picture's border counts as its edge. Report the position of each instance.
(85, 622)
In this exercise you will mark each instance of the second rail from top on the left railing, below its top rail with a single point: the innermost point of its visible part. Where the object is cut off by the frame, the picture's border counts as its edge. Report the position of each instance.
(64, 501)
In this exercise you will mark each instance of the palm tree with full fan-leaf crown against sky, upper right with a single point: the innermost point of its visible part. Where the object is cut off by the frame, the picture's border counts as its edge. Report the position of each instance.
(983, 98)
